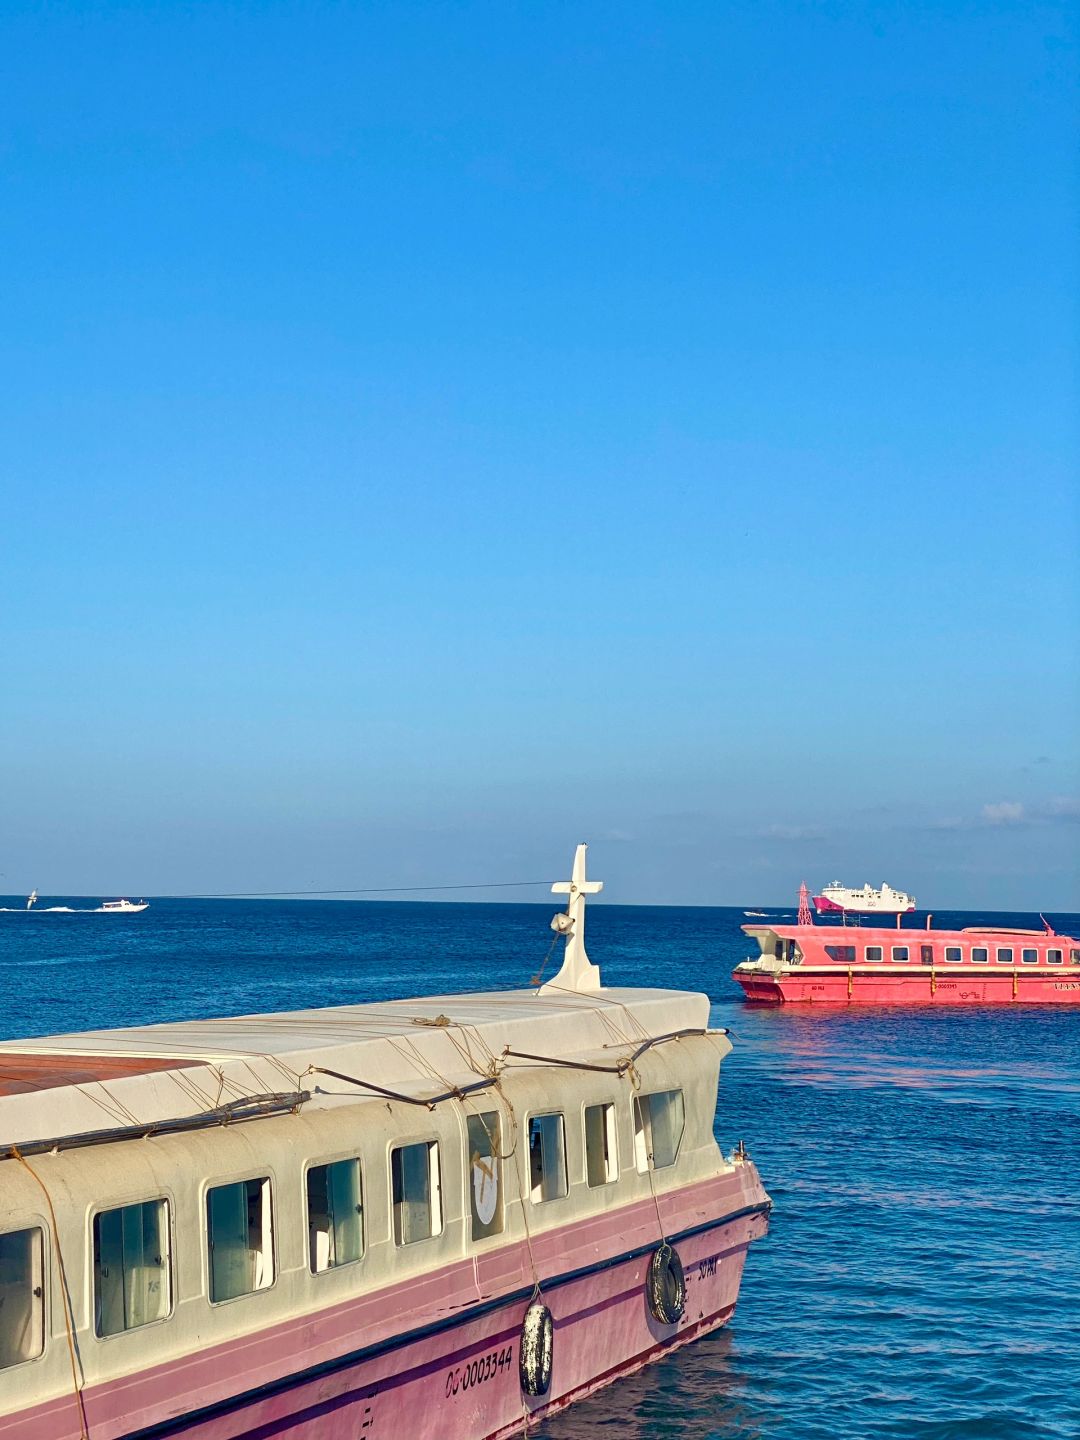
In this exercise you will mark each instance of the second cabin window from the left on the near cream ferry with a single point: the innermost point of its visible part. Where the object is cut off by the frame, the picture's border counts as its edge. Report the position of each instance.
(132, 1282)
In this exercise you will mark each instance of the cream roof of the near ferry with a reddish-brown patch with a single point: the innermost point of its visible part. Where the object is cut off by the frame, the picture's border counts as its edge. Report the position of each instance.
(146, 1075)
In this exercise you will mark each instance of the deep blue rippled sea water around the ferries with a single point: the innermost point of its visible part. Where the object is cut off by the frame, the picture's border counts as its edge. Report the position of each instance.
(922, 1277)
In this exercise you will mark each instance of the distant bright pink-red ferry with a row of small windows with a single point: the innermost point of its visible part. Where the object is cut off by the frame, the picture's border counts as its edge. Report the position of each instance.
(837, 966)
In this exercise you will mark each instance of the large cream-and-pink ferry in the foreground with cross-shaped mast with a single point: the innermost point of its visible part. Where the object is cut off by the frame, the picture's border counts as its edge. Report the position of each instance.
(430, 1220)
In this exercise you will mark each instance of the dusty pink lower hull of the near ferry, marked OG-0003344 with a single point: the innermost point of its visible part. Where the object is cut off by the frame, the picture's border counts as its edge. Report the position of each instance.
(456, 1377)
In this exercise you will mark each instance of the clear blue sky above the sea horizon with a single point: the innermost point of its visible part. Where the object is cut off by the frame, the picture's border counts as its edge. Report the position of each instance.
(436, 434)
